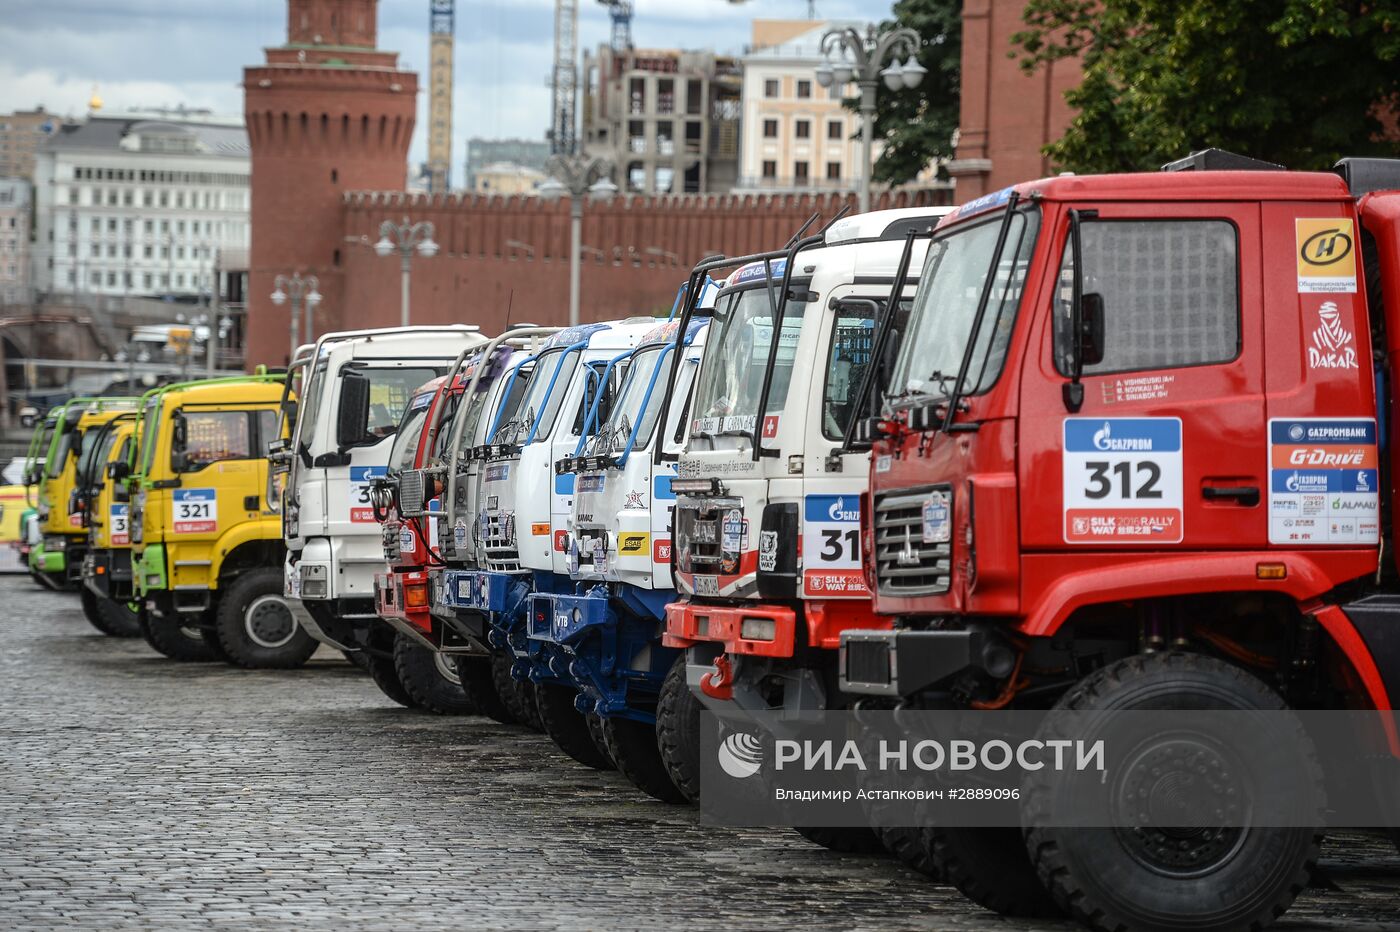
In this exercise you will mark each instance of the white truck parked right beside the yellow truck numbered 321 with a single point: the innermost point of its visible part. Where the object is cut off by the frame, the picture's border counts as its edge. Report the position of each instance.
(355, 388)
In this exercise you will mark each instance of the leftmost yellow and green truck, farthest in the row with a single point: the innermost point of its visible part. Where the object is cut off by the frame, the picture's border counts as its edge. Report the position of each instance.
(61, 523)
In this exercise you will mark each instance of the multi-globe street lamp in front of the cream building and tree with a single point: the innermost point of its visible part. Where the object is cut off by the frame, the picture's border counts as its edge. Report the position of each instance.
(867, 59)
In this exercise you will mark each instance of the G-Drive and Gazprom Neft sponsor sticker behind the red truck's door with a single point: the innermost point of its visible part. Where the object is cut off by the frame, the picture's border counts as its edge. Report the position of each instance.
(1324, 482)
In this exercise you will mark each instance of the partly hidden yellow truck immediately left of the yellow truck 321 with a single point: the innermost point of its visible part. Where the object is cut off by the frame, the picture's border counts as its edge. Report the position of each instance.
(107, 567)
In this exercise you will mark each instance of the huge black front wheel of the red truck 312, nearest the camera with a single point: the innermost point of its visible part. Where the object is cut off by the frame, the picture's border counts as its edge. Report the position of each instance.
(1206, 878)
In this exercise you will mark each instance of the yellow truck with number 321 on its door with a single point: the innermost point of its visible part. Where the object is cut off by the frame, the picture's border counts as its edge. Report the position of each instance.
(206, 525)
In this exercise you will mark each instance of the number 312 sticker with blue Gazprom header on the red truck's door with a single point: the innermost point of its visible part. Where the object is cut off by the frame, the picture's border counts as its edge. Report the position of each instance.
(1122, 481)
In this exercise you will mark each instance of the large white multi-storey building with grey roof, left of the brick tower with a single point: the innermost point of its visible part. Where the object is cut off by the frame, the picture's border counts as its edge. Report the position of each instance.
(141, 205)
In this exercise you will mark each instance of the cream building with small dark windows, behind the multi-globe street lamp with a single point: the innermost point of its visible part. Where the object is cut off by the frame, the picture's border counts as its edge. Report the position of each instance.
(797, 135)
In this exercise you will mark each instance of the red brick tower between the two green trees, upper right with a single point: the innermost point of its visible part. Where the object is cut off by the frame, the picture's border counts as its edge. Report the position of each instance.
(1007, 115)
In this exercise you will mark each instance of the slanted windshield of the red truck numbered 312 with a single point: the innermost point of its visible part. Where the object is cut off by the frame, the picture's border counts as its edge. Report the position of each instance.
(946, 304)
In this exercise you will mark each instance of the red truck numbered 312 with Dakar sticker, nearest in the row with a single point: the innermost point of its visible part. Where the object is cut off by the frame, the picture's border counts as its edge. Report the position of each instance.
(1135, 451)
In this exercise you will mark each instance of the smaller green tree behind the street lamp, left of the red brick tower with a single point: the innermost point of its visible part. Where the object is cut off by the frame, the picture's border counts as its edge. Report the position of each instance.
(918, 127)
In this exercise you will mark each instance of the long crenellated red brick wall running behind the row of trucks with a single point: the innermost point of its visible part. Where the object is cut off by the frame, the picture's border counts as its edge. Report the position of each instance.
(478, 279)
